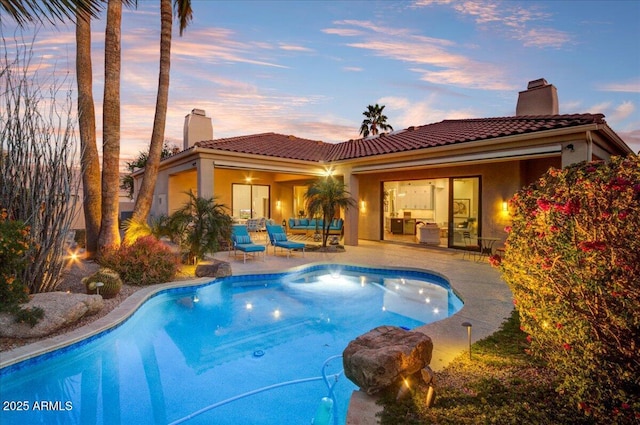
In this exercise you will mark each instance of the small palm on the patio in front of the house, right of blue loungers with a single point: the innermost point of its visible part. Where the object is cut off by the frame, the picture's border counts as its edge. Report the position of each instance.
(326, 196)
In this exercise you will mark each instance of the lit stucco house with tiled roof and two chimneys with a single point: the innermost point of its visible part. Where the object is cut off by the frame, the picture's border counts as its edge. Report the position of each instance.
(456, 174)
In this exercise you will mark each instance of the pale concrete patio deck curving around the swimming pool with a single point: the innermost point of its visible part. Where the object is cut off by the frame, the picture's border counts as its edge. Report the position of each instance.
(487, 301)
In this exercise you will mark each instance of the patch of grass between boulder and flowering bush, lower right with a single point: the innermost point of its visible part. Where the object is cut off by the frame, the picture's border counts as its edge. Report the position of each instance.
(500, 385)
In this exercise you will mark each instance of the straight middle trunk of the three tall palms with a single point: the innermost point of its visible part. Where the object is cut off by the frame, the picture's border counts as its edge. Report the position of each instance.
(109, 233)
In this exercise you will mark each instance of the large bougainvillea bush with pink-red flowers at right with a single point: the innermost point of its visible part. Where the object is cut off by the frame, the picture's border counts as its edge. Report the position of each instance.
(572, 262)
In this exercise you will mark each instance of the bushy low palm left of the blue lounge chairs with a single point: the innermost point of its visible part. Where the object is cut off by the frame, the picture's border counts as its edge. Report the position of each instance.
(198, 227)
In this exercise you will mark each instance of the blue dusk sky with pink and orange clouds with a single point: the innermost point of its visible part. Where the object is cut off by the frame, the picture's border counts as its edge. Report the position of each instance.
(310, 68)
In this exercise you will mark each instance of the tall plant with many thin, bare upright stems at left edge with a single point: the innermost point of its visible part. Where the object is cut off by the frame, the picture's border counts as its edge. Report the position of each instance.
(39, 178)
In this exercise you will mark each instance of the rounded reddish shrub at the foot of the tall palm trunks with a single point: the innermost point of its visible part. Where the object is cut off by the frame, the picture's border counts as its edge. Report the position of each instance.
(144, 262)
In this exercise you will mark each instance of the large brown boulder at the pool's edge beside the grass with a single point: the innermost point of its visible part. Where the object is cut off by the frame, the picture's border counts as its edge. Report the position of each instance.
(384, 356)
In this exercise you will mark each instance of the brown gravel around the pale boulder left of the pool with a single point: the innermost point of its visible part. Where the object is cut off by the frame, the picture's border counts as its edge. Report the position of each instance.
(72, 282)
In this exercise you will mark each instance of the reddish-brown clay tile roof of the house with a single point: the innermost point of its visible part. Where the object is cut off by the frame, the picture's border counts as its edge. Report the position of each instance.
(447, 132)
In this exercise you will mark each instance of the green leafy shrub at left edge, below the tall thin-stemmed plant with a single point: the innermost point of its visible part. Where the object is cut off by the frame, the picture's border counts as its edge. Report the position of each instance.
(15, 244)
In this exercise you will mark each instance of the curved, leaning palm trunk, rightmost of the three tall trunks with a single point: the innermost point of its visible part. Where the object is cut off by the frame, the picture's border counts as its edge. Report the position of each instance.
(145, 195)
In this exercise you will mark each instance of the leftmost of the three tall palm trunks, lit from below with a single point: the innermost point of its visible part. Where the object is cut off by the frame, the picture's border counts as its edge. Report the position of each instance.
(90, 162)
